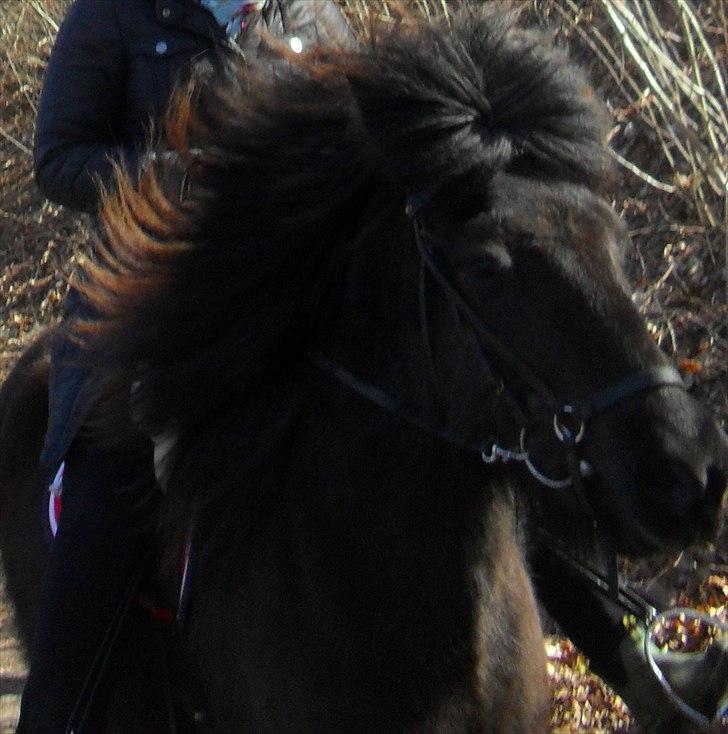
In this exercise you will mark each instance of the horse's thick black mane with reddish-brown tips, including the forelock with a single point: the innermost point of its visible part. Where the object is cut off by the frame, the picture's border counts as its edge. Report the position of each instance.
(218, 266)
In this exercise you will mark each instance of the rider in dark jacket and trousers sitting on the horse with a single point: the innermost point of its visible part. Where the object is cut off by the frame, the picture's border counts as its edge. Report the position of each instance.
(112, 70)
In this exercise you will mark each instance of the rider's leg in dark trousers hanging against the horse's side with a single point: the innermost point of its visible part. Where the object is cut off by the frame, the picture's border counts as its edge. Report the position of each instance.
(103, 537)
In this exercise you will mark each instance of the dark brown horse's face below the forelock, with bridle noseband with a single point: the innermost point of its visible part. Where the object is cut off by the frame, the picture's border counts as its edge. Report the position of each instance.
(539, 271)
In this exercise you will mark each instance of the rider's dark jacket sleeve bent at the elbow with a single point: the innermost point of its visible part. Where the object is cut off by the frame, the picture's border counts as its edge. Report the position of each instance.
(81, 101)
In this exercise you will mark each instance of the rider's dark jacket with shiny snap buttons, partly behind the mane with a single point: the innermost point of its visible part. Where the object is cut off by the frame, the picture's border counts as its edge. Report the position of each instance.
(111, 72)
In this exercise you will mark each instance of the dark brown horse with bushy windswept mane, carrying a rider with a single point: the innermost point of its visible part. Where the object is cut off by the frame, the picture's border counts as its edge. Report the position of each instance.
(351, 278)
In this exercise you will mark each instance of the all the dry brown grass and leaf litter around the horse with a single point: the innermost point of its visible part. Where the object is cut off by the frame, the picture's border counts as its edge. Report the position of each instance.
(661, 65)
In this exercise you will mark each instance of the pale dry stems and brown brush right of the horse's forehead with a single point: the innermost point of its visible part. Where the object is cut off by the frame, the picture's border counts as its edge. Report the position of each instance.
(661, 65)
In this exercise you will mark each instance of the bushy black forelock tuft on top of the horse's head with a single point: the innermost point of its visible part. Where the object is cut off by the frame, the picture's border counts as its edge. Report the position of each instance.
(448, 107)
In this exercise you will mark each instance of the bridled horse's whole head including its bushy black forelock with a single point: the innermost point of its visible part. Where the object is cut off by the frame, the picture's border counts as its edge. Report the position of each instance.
(499, 149)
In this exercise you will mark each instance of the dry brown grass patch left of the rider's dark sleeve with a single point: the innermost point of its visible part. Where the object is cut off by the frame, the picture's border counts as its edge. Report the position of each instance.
(37, 238)
